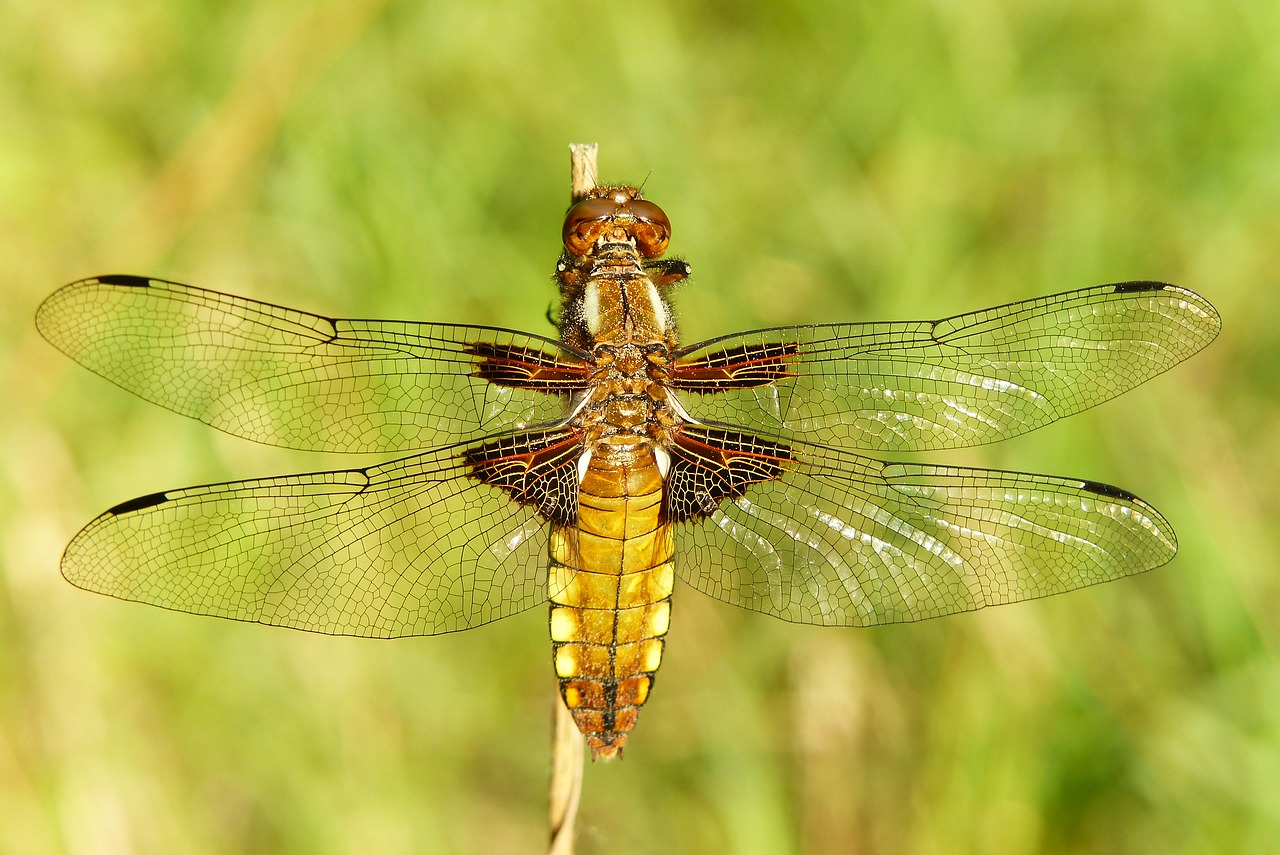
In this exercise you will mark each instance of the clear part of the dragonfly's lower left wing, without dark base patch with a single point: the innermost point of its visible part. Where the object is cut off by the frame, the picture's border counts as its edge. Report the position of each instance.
(414, 547)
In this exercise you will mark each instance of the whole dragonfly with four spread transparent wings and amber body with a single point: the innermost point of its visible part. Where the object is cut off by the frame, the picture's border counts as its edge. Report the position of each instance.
(587, 473)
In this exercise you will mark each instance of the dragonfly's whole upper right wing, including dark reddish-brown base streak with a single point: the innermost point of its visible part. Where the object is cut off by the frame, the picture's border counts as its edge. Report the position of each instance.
(964, 381)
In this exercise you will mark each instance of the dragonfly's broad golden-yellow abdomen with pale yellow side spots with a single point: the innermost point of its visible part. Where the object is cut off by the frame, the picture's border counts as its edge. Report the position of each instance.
(611, 582)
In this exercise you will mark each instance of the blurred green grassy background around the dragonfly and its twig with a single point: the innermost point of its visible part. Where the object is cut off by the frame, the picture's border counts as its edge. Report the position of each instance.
(820, 162)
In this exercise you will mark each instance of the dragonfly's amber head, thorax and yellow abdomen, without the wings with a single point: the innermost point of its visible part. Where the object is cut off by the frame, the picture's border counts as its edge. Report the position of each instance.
(612, 574)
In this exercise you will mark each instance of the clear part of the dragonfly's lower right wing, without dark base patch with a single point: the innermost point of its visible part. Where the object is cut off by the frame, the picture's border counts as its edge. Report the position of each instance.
(847, 541)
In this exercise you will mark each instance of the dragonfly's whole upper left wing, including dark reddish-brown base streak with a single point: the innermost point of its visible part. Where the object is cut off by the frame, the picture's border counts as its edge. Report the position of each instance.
(289, 378)
